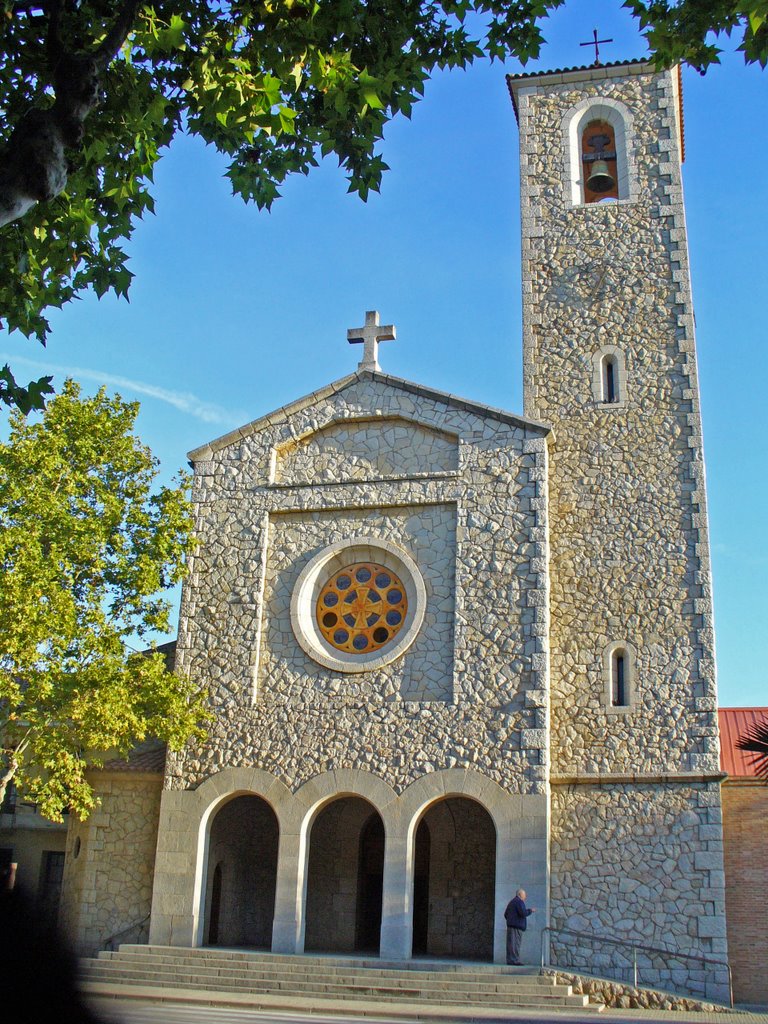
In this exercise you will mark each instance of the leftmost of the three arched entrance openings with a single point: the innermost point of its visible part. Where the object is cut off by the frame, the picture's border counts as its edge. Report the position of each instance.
(242, 875)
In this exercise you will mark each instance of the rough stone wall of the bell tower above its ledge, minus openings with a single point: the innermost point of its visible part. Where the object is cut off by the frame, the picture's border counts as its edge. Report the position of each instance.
(628, 520)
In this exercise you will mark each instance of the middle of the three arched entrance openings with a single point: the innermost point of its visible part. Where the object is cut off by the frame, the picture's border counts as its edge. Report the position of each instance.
(346, 873)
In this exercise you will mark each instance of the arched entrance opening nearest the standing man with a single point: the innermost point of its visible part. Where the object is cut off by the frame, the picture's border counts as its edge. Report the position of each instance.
(455, 881)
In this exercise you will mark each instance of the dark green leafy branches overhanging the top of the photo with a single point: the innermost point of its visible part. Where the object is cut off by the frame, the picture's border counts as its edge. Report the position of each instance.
(93, 91)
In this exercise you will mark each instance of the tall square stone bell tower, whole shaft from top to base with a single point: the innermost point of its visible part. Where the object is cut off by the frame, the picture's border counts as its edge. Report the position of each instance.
(610, 362)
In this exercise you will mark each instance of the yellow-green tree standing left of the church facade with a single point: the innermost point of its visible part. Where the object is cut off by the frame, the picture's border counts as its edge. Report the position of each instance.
(87, 550)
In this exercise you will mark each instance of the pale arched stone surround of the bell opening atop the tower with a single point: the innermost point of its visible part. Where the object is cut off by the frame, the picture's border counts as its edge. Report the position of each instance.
(576, 120)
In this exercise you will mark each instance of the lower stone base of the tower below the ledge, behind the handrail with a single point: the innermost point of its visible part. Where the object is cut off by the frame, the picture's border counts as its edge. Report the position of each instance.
(642, 864)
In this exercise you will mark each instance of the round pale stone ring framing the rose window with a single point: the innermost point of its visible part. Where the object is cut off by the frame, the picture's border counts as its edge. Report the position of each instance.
(321, 568)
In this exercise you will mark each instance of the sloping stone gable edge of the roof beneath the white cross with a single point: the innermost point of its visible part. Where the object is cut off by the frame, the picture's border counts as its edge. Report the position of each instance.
(285, 412)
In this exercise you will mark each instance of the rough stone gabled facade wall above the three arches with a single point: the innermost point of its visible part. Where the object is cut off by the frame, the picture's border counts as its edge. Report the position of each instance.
(472, 692)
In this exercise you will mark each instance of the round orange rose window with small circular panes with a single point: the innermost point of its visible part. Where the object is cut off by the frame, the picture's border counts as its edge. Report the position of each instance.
(362, 608)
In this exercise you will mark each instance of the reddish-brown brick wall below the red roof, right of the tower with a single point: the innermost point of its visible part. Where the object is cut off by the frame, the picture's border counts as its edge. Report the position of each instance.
(745, 834)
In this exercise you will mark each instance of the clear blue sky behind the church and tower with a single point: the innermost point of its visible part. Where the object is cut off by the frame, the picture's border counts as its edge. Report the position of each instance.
(234, 313)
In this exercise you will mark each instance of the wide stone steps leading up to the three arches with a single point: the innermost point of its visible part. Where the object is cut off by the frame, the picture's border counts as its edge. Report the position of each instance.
(435, 990)
